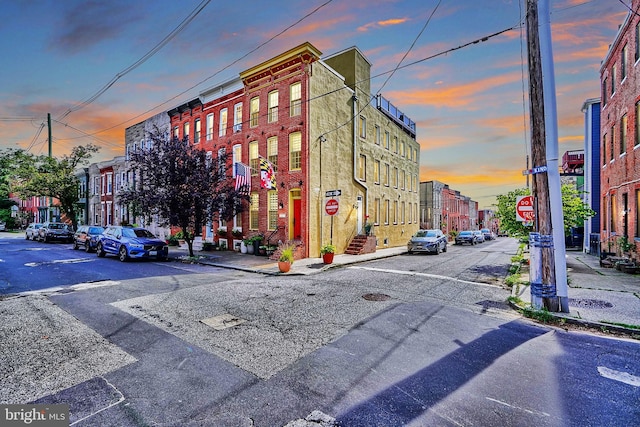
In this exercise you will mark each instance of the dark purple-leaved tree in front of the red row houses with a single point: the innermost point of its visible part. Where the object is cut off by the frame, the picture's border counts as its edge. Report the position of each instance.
(183, 185)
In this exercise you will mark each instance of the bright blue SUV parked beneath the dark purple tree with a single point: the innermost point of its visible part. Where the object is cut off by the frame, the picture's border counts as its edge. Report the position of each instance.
(131, 242)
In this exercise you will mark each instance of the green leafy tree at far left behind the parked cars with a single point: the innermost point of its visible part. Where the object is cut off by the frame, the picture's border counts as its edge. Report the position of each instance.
(43, 176)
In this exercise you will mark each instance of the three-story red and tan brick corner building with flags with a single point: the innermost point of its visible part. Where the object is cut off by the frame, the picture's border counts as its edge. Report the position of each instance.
(315, 120)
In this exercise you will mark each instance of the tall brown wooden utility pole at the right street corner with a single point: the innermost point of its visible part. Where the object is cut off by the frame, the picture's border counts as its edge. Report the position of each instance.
(545, 291)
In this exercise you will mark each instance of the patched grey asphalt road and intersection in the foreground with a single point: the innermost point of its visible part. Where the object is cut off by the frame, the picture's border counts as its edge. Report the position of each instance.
(410, 340)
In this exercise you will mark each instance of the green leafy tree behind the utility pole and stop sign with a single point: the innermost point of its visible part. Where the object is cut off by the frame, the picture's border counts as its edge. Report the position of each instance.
(574, 210)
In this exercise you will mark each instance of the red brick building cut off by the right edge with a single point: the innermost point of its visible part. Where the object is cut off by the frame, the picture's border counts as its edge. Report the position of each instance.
(620, 142)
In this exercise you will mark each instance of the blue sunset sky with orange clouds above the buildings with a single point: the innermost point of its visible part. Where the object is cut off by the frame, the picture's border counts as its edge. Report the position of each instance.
(99, 67)
